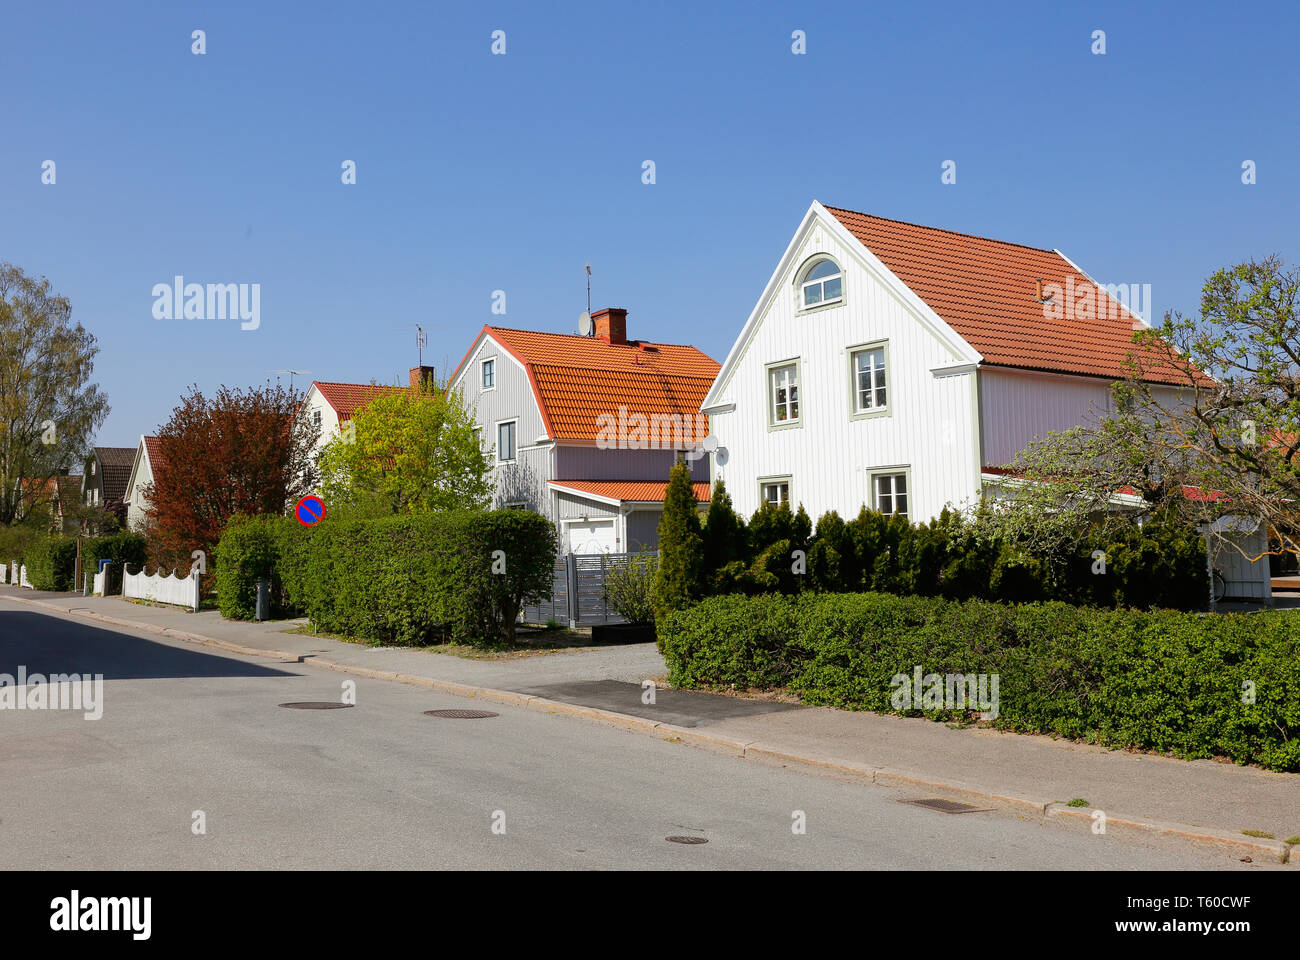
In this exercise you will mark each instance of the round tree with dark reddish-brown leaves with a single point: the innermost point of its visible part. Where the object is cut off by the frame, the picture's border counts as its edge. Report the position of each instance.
(241, 452)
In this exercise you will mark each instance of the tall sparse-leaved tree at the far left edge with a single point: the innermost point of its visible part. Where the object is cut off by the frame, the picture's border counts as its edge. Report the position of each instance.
(49, 408)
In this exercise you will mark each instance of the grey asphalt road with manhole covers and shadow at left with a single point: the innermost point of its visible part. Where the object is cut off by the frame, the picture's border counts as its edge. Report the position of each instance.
(379, 785)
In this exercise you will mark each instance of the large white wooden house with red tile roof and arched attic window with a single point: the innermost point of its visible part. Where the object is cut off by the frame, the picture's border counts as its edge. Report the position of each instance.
(899, 366)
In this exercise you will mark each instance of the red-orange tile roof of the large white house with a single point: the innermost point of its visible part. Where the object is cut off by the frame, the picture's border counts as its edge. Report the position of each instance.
(985, 289)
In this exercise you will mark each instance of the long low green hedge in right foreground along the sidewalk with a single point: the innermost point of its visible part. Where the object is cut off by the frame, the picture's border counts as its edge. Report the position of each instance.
(1162, 680)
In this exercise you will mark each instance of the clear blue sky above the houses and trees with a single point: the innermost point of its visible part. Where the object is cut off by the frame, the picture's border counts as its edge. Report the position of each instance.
(479, 172)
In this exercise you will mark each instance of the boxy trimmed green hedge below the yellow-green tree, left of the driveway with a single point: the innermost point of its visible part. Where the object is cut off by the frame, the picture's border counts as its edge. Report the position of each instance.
(430, 578)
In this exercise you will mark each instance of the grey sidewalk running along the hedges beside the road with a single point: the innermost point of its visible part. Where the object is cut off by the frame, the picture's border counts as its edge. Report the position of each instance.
(1035, 776)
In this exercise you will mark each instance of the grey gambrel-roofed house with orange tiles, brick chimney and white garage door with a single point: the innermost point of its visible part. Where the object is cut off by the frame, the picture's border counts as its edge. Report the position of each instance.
(586, 430)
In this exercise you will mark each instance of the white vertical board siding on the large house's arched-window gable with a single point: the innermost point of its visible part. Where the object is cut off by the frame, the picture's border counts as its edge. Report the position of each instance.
(930, 430)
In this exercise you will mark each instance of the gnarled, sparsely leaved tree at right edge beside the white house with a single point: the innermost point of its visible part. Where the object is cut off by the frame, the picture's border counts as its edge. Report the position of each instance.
(1207, 426)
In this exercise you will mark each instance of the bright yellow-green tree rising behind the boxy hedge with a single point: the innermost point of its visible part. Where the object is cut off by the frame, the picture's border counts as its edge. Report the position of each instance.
(410, 451)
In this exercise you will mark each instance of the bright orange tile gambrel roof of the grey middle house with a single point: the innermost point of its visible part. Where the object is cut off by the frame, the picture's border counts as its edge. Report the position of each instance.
(578, 379)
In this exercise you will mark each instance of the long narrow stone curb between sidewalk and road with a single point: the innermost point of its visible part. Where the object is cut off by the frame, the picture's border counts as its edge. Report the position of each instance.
(1258, 849)
